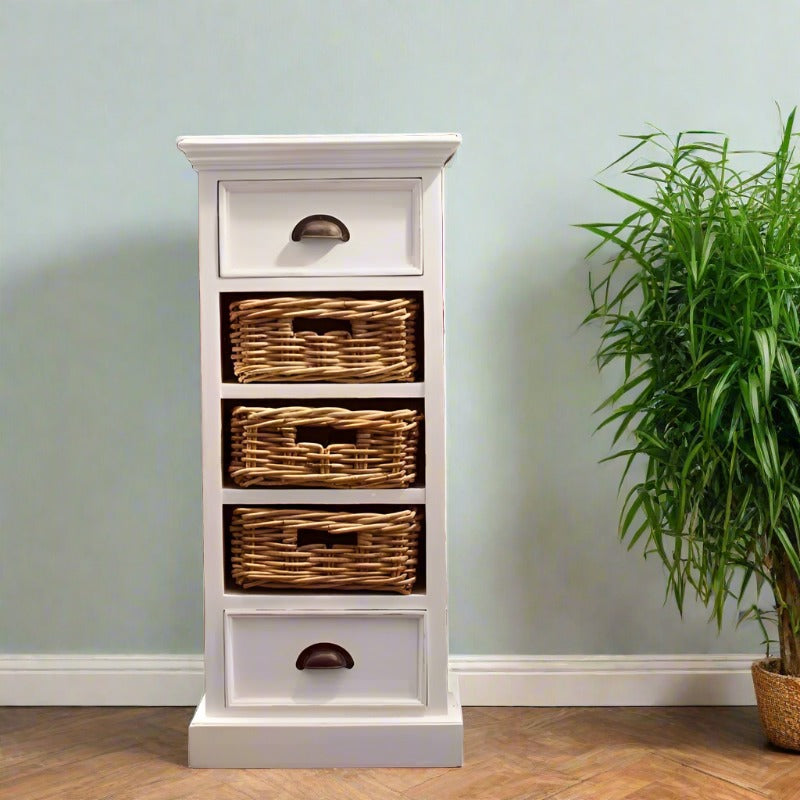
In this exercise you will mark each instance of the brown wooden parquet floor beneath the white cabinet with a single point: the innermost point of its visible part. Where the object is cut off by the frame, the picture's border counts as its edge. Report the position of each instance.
(562, 754)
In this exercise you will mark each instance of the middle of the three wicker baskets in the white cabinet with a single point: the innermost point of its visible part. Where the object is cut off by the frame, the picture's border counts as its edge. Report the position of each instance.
(334, 447)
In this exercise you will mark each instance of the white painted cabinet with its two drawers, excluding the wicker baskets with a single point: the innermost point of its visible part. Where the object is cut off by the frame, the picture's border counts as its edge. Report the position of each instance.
(390, 702)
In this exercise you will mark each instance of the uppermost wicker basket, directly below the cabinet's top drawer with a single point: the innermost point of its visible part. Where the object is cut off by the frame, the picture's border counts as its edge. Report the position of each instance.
(329, 339)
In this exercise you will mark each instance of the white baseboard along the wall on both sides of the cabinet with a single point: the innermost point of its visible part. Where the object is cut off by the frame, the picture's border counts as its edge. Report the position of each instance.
(167, 680)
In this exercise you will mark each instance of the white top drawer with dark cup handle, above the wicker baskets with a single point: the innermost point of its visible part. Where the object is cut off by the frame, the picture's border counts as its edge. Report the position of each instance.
(369, 227)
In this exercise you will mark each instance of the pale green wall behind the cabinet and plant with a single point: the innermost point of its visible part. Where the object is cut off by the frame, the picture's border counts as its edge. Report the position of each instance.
(100, 417)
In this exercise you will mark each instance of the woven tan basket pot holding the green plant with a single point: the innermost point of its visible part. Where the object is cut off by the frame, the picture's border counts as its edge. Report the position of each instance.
(778, 698)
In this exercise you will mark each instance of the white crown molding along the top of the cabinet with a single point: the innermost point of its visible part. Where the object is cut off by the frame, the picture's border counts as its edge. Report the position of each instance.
(310, 152)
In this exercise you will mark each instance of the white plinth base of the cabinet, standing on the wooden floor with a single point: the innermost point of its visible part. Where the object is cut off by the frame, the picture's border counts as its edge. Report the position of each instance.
(319, 742)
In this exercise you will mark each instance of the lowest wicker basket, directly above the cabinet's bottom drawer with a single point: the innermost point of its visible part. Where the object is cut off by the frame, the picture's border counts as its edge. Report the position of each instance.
(282, 548)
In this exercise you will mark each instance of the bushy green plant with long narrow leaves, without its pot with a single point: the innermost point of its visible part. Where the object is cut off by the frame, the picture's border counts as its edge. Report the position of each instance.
(700, 308)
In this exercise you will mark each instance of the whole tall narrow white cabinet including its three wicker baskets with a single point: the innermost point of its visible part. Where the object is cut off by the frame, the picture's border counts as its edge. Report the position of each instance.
(302, 671)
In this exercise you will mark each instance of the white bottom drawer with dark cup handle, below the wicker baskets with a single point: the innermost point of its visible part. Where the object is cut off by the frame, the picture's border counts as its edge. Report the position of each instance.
(319, 658)
